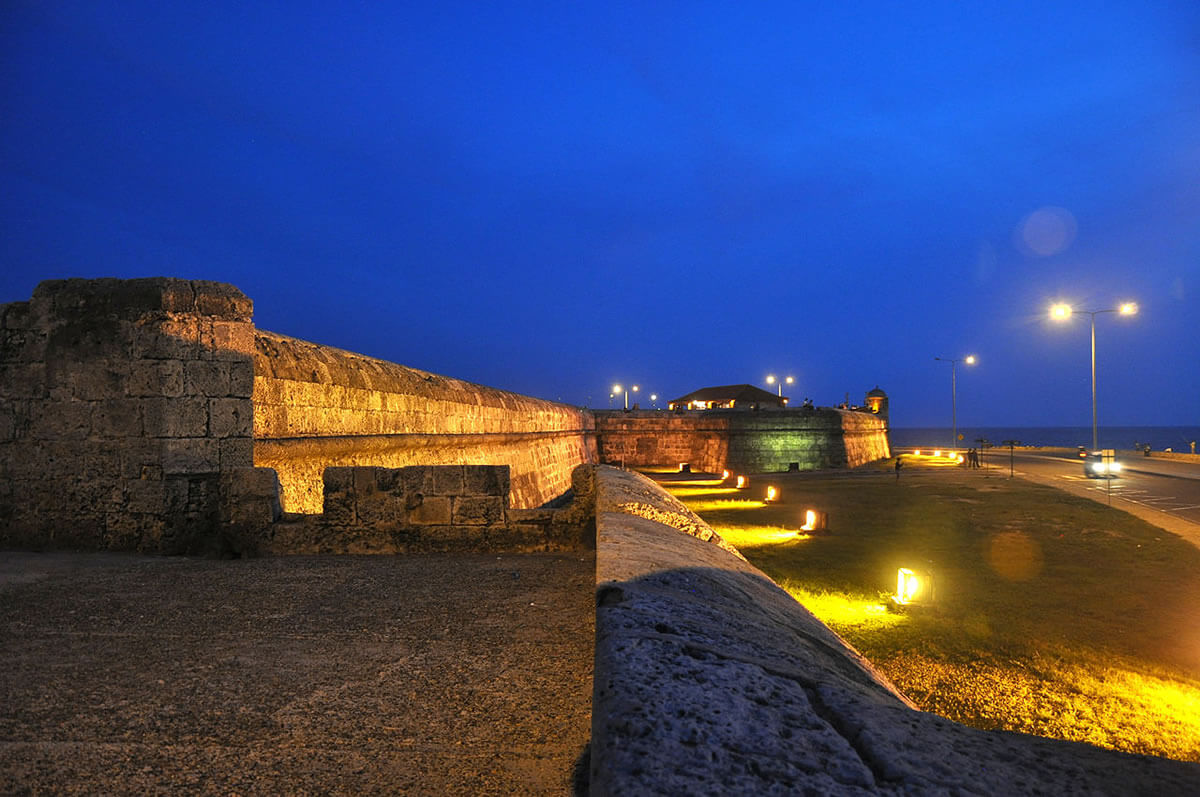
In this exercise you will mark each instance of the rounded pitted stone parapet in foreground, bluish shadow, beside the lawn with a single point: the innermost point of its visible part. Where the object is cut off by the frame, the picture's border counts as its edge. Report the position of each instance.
(710, 679)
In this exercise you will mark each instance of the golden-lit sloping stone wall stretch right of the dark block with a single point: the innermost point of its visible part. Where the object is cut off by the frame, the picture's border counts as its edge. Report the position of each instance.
(317, 408)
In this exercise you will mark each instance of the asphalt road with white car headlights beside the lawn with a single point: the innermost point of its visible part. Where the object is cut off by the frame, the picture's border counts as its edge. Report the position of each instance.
(1163, 486)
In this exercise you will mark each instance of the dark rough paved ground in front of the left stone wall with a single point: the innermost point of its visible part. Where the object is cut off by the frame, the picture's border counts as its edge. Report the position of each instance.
(430, 674)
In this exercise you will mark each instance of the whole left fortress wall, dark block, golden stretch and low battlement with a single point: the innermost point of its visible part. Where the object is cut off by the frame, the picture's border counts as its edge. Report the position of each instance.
(134, 415)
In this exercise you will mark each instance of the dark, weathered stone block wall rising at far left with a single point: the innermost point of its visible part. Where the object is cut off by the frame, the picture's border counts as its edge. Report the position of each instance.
(121, 402)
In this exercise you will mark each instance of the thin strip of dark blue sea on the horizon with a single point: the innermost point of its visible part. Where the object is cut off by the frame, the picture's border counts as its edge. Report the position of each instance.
(1115, 438)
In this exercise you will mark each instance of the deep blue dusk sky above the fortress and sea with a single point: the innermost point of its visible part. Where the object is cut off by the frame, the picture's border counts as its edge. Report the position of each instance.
(551, 197)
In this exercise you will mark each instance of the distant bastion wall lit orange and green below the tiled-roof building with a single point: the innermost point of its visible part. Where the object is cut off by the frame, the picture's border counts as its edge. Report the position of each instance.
(764, 441)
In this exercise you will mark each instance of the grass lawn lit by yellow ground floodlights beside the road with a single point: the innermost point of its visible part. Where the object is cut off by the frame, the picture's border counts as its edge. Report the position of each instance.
(1055, 615)
